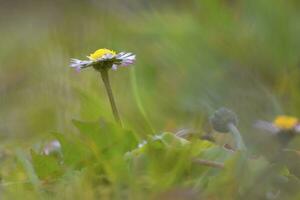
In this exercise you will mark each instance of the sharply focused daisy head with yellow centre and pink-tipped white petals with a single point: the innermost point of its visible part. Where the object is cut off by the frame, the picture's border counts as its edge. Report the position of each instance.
(104, 59)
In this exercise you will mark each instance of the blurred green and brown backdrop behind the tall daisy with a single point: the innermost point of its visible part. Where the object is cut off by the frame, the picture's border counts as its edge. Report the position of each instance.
(192, 57)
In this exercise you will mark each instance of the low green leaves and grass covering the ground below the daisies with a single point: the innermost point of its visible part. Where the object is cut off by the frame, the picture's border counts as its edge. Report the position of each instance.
(109, 162)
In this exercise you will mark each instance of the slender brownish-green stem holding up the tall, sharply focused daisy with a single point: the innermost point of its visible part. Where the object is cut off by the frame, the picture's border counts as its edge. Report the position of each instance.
(105, 79)
